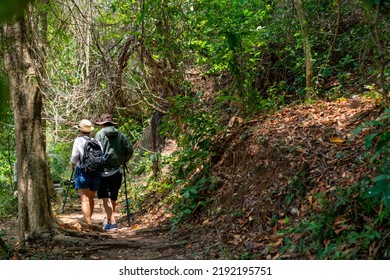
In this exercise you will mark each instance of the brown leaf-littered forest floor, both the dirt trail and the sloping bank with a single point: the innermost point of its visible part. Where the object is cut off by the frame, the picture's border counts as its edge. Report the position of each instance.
(268, 171)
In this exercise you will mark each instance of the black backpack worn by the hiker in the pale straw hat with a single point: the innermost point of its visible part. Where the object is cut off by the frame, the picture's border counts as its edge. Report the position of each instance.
(92, 162)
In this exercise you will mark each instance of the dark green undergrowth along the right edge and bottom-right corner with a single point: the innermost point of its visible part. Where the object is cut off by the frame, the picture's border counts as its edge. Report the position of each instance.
(352, 222)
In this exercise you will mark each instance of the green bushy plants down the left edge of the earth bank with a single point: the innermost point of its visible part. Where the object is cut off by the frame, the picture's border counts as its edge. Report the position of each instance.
(191, 162)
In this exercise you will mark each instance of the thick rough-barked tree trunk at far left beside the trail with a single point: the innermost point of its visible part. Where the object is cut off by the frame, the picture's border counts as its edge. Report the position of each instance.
(35, 215)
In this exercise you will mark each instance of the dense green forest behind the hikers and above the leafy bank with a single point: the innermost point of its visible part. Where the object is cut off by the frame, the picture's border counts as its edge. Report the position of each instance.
(184, 68)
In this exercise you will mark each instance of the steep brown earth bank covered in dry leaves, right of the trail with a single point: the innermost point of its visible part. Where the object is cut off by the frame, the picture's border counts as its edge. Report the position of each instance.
(277, 170)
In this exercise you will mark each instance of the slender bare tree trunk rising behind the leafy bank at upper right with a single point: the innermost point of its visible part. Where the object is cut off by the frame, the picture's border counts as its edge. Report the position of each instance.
(306, 43)
